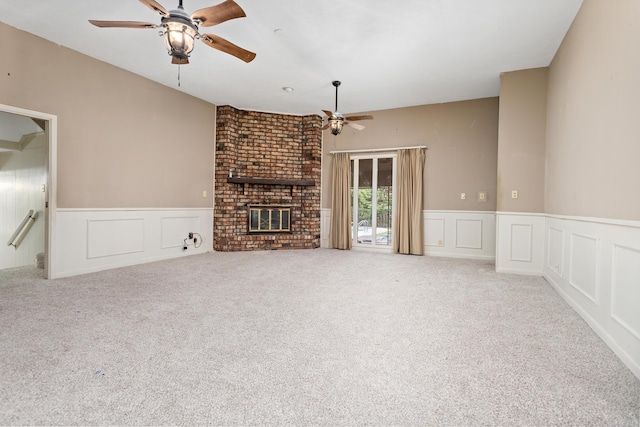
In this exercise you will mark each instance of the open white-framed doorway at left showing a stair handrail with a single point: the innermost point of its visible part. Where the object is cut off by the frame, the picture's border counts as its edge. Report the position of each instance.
(27, 188)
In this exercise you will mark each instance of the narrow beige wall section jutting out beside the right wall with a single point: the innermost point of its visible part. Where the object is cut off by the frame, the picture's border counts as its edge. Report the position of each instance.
(521, 140)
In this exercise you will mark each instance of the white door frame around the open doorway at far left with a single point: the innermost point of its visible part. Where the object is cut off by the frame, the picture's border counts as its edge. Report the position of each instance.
(51, 166)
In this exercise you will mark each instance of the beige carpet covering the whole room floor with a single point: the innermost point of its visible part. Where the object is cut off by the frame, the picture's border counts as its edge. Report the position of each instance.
(317, 337)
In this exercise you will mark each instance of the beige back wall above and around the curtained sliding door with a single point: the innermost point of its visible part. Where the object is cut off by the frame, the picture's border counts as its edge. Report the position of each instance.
(462, 141)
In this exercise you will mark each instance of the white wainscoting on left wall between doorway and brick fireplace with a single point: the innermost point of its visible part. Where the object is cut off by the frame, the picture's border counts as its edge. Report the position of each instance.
(98, 239)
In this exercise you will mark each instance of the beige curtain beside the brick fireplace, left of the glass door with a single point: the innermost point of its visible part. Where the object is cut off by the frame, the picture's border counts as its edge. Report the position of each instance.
(340, 232)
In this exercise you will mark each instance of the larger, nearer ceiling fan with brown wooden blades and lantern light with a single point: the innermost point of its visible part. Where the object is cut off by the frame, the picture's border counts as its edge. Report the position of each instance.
(180, 30)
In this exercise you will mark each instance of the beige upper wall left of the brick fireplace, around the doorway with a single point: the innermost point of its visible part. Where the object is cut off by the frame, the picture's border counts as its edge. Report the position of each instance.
(123, 141)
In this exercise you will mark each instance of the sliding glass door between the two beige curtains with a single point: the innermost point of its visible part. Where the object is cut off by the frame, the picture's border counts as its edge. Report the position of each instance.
(372, 193)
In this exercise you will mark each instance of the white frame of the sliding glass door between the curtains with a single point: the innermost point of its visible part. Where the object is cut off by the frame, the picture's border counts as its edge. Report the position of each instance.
(374, 179)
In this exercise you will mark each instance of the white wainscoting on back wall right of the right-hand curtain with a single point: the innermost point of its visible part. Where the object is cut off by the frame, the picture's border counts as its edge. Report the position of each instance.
(460, 234)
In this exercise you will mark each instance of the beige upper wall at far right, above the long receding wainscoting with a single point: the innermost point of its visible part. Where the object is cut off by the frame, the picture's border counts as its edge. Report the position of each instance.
(593, 124)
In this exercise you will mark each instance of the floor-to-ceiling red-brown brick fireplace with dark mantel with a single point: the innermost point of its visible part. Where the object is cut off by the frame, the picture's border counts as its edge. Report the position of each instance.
(266, 163)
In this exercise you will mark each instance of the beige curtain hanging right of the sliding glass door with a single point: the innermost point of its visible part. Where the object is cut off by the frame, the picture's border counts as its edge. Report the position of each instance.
(407, 226)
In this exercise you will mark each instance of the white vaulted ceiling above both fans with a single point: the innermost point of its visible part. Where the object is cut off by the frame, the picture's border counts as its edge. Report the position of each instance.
(387, 54)
